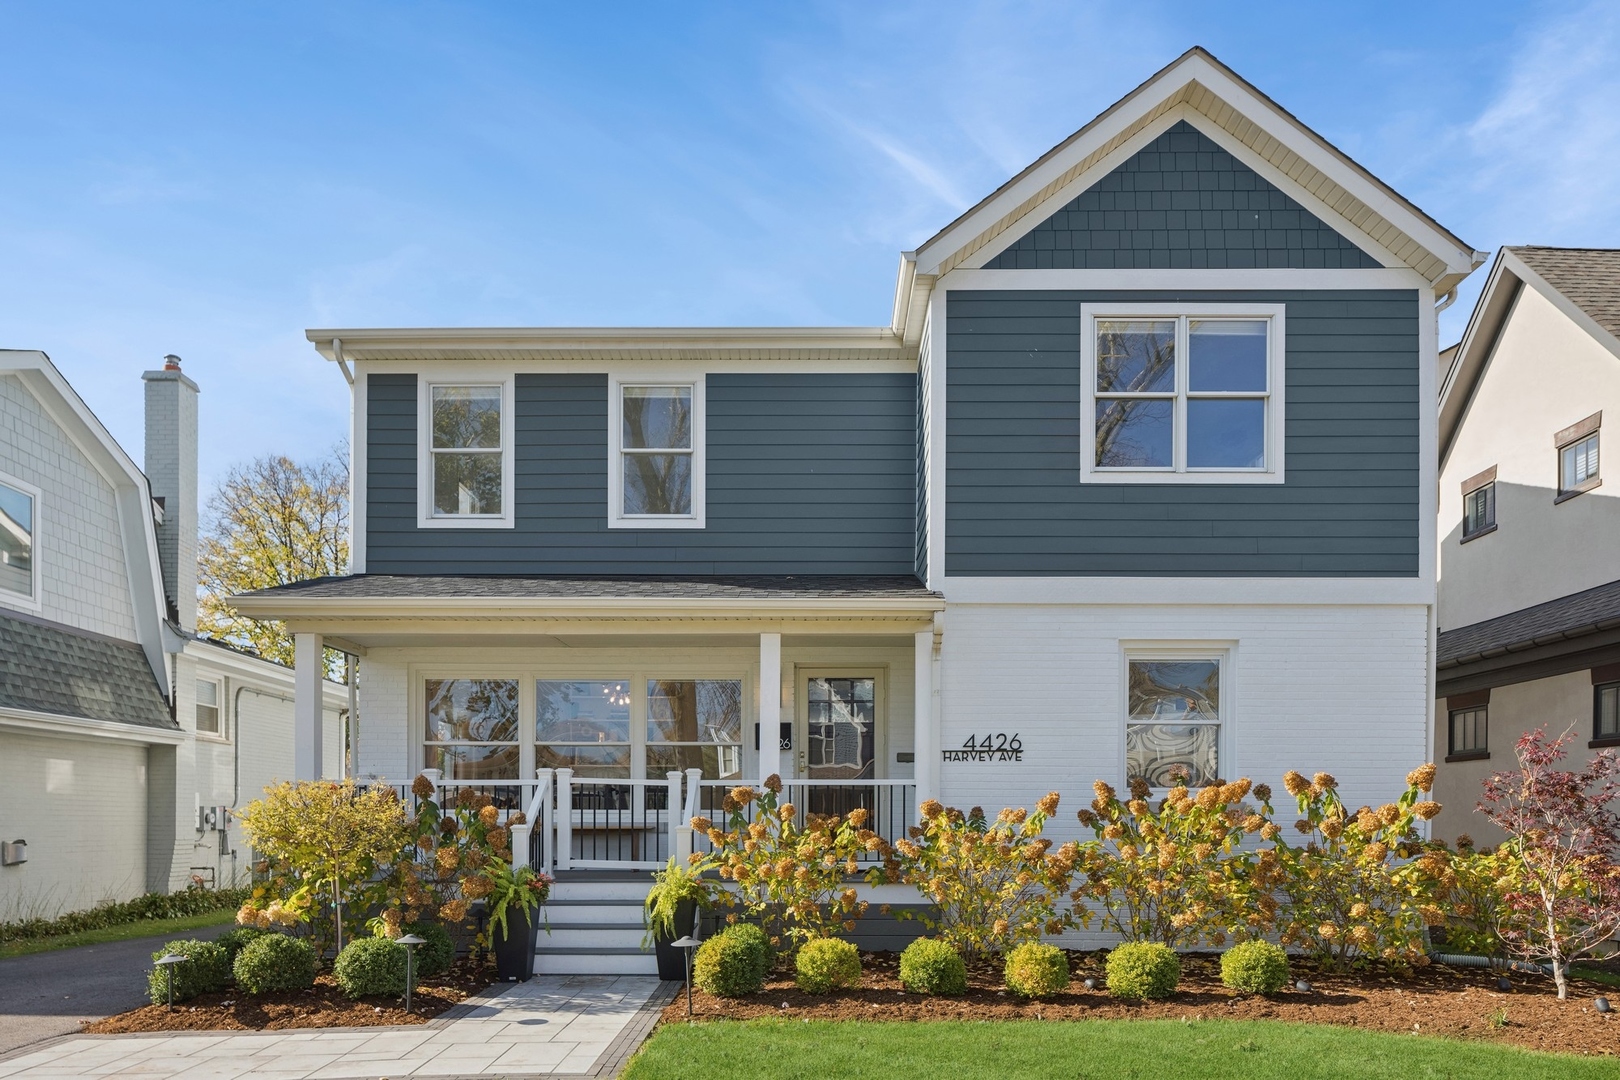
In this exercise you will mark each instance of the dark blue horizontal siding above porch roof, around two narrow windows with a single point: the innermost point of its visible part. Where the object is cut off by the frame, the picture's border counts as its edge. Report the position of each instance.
(808, 474)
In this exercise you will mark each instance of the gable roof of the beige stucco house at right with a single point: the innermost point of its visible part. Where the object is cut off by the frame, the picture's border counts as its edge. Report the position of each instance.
(1582, 283)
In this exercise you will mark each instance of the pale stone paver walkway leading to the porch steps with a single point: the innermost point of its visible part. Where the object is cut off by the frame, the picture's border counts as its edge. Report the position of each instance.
(548, 1027)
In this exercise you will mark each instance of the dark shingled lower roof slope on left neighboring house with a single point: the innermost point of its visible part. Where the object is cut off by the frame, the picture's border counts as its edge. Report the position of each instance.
(48, 668)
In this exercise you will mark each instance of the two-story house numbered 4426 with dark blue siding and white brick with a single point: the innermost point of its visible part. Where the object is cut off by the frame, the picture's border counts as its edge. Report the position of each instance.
(1141, 475)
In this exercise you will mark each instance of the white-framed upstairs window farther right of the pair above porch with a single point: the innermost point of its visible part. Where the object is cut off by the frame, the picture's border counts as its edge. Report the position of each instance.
(657, 475)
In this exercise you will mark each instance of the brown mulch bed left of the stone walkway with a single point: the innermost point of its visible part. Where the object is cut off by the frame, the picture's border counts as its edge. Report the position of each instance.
(323, 1006)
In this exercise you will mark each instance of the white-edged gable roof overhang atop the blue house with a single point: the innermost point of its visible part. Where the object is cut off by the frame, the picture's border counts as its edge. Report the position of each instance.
(1250, 125)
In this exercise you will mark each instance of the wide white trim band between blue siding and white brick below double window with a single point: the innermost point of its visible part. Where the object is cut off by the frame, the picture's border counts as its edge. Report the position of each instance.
(1188, 592)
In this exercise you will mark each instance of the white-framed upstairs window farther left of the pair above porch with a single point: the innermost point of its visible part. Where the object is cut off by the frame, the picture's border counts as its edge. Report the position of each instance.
(464, 435)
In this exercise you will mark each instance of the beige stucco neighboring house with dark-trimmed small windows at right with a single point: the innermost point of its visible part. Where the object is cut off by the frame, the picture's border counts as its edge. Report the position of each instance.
(1530, 559)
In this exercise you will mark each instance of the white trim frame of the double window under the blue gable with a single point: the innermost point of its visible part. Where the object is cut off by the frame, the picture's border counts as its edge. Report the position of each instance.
(1180, 474)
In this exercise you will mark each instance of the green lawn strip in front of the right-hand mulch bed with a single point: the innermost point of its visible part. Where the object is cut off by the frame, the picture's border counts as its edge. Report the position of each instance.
(1086, 1050)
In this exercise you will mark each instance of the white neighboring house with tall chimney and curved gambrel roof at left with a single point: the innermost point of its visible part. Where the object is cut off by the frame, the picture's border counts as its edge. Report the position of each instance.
(122, 734)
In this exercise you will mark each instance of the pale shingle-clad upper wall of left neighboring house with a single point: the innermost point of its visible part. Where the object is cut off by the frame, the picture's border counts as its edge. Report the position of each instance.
(79, 538)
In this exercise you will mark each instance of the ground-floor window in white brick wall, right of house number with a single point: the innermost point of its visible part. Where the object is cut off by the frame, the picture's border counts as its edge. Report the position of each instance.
(1177, 713)
